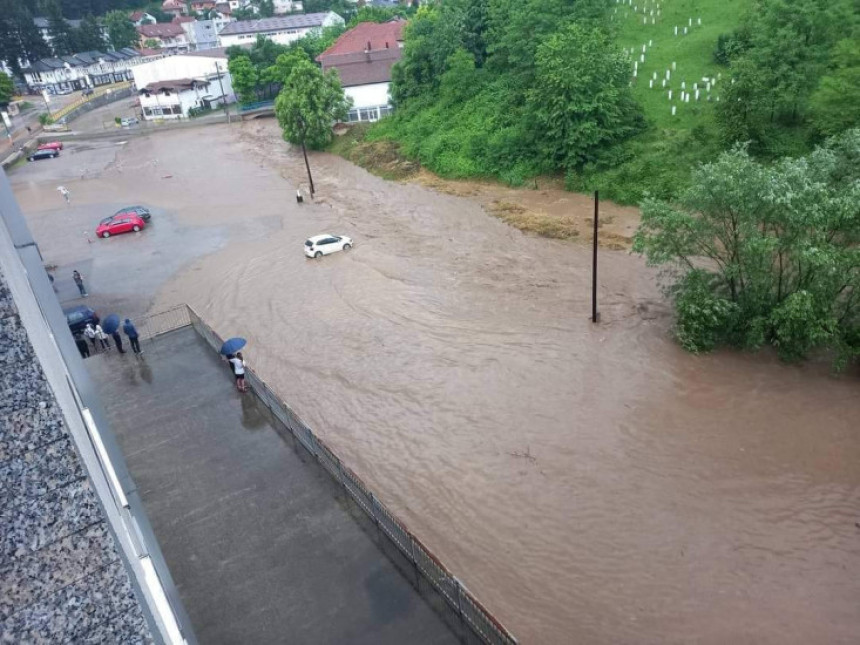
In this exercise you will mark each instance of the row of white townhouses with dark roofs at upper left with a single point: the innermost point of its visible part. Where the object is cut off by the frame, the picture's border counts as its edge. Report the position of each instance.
(86, 69)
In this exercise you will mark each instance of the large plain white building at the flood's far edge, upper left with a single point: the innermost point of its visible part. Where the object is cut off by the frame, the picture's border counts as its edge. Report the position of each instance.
(170, 87)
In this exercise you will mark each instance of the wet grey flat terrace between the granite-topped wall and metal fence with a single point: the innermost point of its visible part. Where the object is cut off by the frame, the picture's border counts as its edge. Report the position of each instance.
(260, 541)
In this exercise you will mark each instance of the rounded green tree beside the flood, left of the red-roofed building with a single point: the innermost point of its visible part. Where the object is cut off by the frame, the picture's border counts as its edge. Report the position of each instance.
(309, 103)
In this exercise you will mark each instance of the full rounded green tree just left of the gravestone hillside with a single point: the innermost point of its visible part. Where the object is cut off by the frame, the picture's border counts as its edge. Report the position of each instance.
(581, 99)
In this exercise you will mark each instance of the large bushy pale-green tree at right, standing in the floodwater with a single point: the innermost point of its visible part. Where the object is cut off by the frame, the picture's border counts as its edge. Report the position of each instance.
(765, 255)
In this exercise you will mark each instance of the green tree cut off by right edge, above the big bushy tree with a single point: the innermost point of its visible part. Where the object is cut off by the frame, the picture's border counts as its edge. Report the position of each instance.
(835, 105)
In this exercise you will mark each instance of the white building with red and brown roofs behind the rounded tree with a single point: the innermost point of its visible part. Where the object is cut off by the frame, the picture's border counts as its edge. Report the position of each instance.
(363, 58)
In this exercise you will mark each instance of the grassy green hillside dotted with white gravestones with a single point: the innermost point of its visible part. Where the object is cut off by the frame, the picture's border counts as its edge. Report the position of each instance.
(659, 160)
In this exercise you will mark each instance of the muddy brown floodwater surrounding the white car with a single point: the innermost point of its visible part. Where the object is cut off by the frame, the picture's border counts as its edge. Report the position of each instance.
(590, 484)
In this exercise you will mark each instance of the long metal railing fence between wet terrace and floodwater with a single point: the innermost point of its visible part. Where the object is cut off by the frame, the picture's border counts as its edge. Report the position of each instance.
(473, 616)
